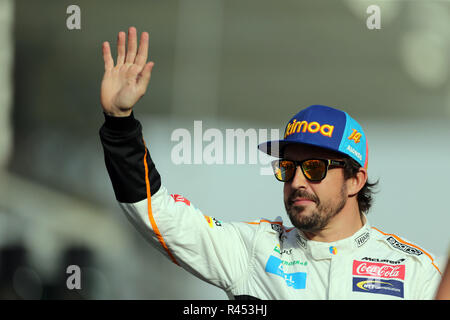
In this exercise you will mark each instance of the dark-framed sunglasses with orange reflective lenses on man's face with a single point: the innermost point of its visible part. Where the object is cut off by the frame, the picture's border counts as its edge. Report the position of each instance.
(313, 169)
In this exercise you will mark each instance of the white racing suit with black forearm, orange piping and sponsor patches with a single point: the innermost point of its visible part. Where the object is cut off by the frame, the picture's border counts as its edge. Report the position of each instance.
(261, 259)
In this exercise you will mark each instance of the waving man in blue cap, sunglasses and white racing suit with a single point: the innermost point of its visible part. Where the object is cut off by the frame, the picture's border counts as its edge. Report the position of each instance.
(331, 253)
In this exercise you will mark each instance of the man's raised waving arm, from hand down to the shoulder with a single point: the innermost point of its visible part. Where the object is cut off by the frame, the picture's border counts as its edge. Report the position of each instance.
(214, 251)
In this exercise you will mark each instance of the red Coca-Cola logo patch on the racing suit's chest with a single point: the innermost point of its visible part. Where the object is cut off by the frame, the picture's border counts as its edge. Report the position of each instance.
(378, 270)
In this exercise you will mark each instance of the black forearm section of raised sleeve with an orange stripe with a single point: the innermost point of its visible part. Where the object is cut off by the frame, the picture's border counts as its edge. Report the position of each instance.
(125, 150)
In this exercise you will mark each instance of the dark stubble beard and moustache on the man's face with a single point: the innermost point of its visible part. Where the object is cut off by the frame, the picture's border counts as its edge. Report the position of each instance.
(321, 215)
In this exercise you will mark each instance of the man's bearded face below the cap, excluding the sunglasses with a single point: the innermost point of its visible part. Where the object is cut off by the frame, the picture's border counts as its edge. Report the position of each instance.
(311, 205)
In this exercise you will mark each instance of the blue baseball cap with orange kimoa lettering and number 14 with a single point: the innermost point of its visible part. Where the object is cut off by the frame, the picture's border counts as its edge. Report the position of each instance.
(323, 127)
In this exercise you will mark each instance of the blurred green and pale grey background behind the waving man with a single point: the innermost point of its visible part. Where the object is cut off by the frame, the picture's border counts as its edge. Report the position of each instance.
(231, 64)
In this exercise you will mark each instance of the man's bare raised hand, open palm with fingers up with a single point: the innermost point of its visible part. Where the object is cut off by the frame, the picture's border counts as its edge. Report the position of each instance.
(126, 82)
